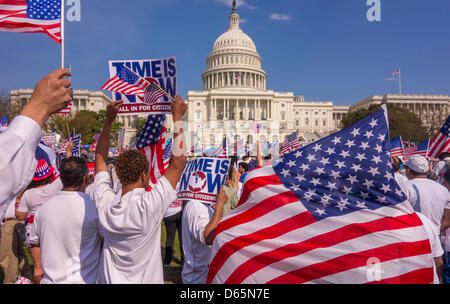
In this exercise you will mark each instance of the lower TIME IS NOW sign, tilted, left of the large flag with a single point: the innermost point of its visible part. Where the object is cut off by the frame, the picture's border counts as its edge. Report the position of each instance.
(202, 179)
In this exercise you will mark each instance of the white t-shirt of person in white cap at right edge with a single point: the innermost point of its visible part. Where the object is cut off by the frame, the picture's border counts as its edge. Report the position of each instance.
(432, 199)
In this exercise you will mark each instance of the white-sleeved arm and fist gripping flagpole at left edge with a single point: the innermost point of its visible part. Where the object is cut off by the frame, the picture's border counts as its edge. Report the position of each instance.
(19, 141)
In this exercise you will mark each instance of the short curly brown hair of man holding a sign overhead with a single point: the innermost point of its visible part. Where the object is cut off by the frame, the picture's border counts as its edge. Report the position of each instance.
(130, 165)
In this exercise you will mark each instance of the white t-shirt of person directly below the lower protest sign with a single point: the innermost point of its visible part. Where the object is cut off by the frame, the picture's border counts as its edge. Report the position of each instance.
(196, 253)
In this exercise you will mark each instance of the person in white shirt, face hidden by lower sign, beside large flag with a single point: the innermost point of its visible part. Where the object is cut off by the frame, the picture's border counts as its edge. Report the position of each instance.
(199, 222)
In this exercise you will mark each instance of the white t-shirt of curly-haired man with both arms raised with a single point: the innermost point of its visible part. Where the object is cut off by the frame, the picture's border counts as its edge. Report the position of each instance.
(132, 228)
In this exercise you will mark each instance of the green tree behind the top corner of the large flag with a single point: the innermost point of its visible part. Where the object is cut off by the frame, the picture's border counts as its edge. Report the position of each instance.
(401, 122)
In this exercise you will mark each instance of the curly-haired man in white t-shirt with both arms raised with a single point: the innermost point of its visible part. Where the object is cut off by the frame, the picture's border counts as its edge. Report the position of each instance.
(132, 225)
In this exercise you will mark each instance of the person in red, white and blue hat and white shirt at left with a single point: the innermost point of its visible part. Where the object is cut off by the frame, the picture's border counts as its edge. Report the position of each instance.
(40, 190)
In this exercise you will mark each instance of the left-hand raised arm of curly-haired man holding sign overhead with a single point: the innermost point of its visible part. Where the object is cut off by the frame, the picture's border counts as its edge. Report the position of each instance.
(101, 152)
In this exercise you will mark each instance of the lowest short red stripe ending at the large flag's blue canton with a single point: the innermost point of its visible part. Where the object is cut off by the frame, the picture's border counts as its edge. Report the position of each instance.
(271, 232)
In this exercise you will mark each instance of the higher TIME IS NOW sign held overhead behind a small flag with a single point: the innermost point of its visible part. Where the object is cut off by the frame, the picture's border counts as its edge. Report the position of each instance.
(163, 71)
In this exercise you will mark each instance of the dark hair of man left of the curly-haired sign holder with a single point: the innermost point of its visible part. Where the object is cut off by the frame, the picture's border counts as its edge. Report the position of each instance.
(73, 170)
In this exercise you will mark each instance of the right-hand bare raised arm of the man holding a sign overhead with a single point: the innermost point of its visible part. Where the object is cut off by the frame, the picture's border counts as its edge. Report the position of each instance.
(178, 160)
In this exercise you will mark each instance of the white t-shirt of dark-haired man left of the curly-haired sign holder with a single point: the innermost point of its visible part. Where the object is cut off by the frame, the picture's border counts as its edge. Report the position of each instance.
(67, 229)
